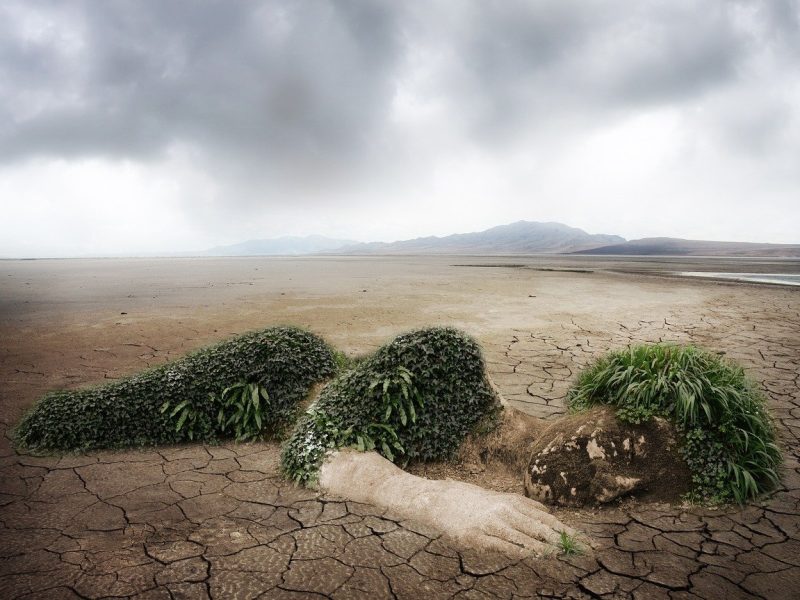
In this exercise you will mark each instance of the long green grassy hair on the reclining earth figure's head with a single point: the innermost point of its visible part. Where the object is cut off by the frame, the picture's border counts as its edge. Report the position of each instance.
(728, 436)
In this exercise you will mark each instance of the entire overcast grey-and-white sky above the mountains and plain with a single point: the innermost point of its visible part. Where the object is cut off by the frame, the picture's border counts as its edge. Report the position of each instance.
(149, 126)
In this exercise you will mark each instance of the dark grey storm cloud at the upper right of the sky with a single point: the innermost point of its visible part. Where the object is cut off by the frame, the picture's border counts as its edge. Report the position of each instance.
(523, 63)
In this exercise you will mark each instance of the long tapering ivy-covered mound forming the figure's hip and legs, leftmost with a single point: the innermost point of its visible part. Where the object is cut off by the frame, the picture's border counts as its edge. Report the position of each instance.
(183, 400)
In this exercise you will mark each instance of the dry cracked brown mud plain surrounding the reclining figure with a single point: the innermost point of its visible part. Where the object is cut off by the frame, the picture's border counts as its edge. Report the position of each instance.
(218, 521)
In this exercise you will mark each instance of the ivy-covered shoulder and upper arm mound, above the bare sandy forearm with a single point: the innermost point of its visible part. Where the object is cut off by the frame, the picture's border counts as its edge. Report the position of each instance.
(414, 399)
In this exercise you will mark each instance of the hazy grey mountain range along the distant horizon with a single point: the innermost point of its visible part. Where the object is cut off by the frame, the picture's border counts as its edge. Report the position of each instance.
(522, 237)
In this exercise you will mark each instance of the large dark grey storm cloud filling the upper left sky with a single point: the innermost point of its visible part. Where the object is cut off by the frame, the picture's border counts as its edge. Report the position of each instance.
(270, 79)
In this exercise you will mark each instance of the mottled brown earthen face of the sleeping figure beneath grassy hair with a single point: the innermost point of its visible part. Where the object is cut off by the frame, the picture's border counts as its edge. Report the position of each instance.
(594, 458)
